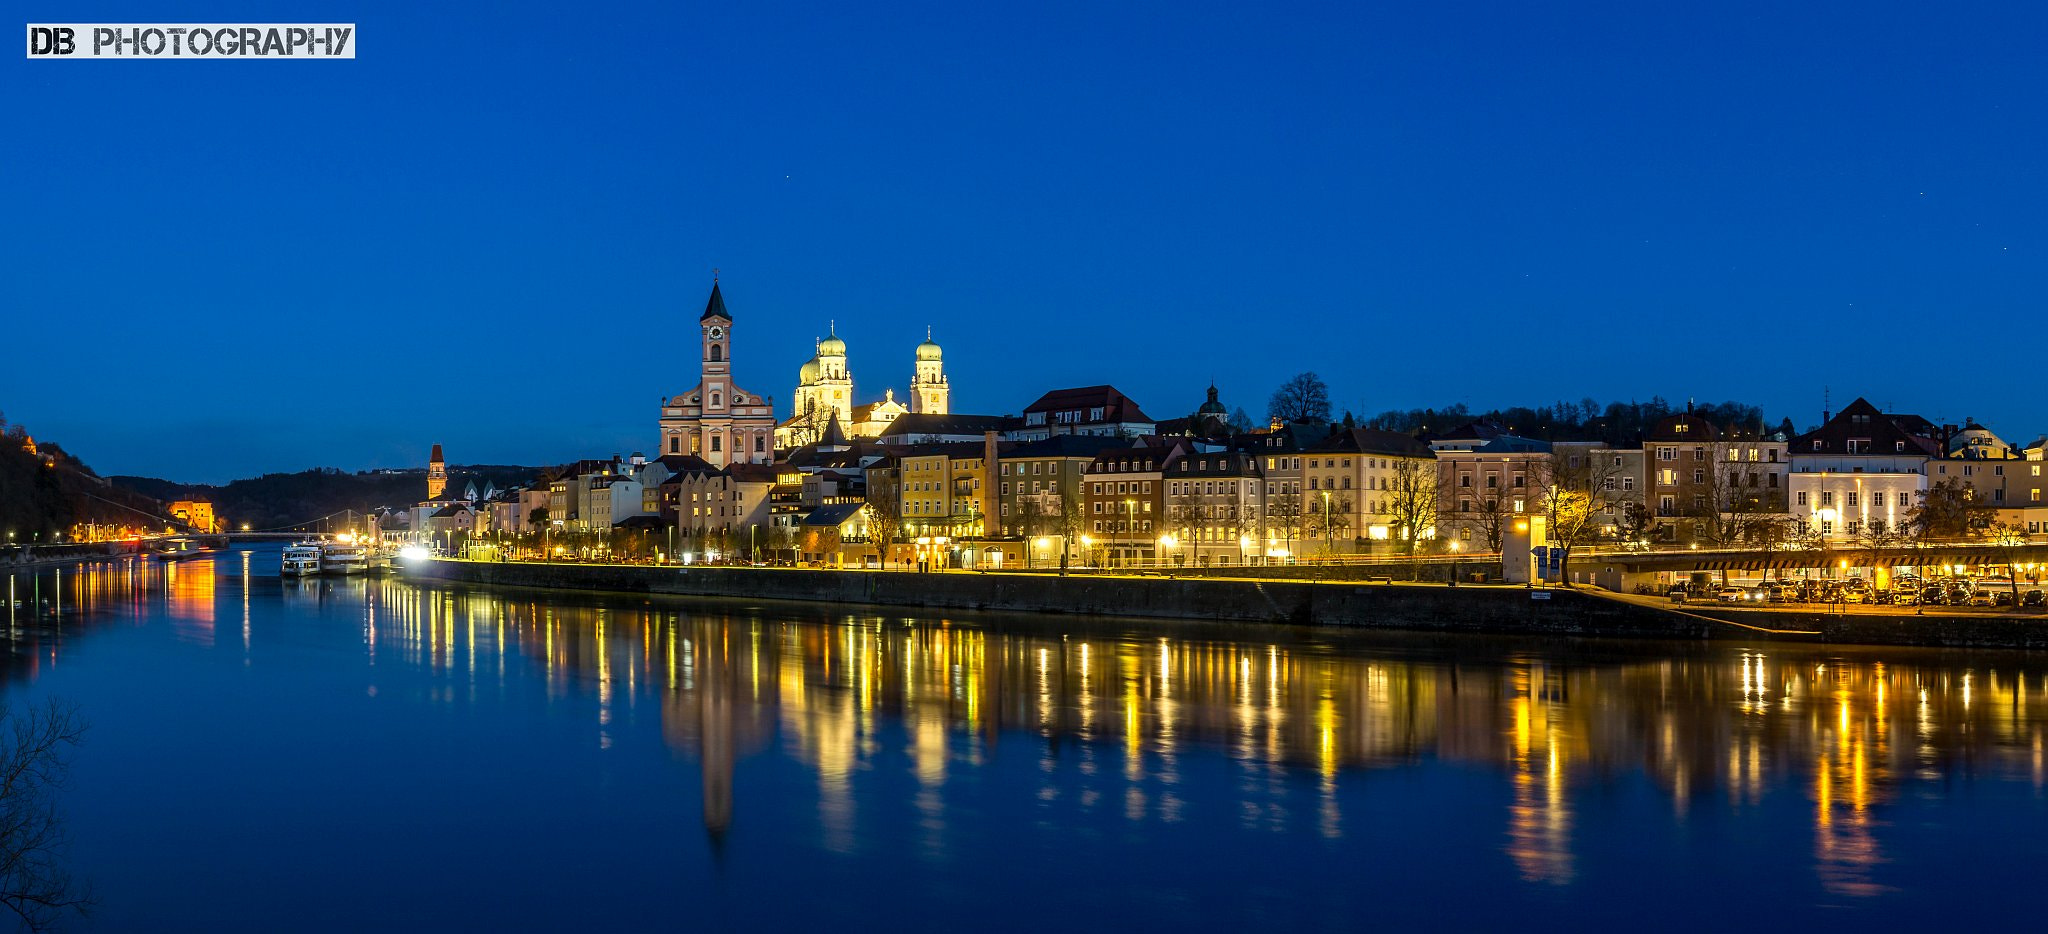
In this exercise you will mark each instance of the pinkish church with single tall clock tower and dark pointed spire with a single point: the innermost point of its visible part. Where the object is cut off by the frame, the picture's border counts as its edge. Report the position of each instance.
(716, 419)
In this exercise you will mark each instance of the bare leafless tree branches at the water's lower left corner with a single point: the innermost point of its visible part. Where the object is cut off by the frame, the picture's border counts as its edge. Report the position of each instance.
(34, 882)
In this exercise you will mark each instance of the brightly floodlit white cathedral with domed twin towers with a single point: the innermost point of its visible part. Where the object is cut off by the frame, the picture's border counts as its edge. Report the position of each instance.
(826, 394)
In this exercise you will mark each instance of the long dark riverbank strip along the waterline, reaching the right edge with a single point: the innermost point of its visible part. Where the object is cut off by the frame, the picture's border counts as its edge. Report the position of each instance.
(1418, 607)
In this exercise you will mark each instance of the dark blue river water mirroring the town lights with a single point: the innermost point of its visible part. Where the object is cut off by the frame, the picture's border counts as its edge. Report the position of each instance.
(343, 755)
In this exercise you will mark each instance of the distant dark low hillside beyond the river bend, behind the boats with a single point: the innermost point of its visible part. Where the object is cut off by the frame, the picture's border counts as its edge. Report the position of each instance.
(300, 501)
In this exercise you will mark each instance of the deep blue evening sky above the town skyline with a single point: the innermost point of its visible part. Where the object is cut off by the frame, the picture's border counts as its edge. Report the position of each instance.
(497, 226)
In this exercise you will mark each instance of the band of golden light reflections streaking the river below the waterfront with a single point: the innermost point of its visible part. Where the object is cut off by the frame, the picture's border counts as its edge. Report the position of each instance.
(1132, 730)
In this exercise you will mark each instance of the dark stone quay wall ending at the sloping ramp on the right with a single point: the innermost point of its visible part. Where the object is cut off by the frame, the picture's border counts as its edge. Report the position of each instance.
(1304, 603)
